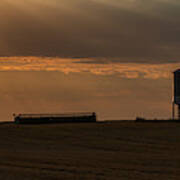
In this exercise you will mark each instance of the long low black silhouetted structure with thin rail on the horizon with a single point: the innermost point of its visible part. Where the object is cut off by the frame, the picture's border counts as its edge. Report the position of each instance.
(54, 118)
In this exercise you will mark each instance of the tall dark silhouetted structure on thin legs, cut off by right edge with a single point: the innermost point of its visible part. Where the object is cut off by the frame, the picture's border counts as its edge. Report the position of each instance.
(176, 99)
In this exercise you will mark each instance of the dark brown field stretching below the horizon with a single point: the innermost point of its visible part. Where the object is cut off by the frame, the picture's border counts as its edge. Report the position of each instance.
(123, 150)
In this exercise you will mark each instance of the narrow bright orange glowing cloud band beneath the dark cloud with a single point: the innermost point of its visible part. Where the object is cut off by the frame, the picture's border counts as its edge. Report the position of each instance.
(84, 65)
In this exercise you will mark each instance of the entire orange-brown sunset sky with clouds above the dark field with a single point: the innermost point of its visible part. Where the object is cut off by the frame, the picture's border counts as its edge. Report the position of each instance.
(113, 57)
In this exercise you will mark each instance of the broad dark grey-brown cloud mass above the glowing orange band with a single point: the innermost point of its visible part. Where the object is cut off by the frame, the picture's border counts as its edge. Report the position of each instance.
(132, 30)
